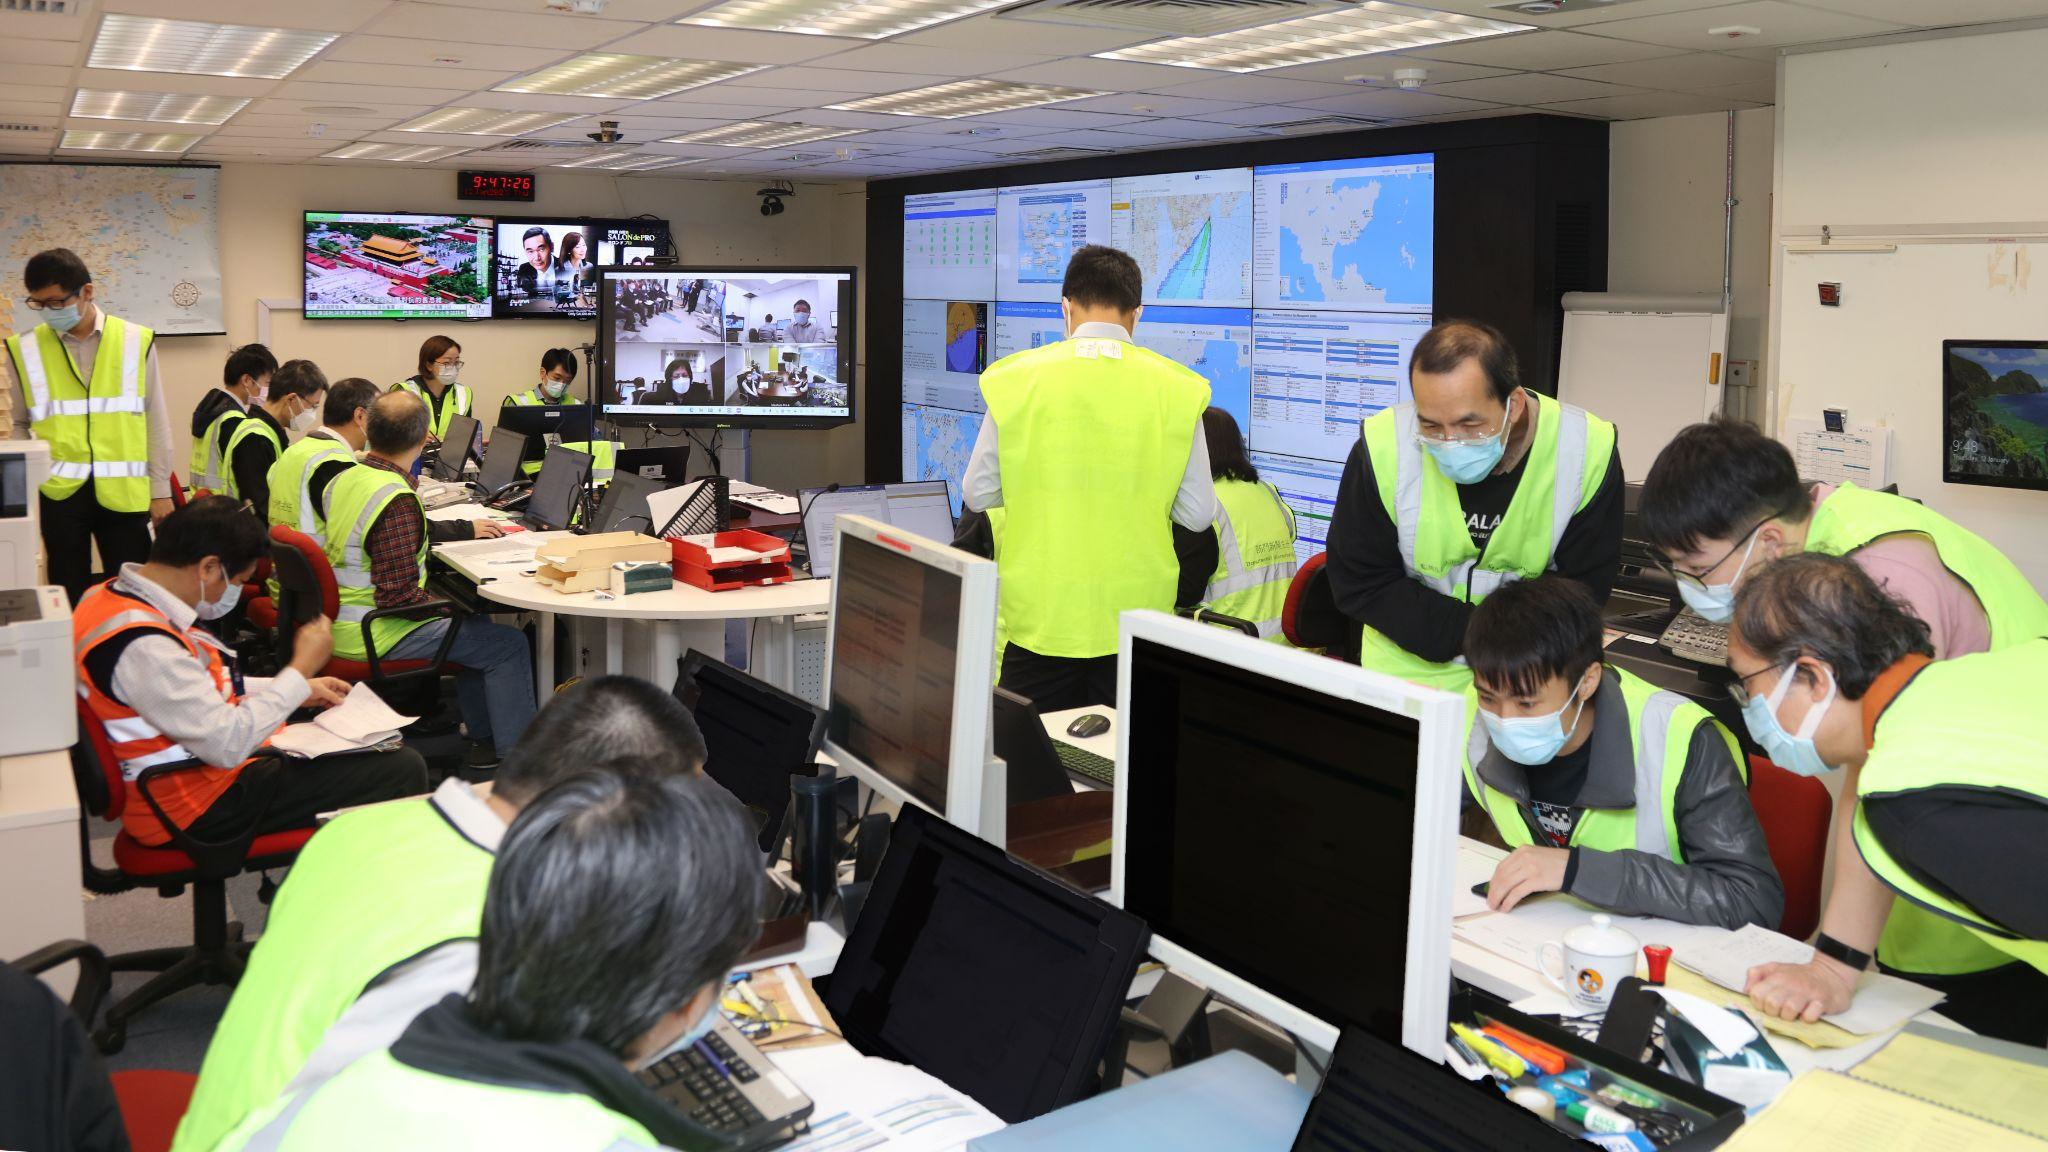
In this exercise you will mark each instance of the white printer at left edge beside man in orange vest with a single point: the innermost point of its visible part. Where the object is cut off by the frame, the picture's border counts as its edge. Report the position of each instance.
(38, 675)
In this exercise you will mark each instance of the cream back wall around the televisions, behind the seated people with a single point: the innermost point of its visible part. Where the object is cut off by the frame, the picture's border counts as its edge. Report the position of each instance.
(714, 220)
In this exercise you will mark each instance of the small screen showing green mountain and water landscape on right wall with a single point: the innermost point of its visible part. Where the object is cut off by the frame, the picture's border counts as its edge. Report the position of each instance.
(1996, 413)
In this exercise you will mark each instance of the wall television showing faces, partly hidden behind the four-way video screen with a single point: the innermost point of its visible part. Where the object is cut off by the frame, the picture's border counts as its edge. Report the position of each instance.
(546, 265)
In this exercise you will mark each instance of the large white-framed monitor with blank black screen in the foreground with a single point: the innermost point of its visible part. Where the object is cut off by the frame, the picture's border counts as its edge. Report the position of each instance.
(1279, 817)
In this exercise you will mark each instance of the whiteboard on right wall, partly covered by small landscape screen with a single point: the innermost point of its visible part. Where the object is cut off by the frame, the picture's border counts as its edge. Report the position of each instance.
(1879, 356)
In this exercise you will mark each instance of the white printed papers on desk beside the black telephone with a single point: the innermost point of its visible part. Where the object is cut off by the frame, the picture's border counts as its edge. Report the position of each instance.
(878, 1104)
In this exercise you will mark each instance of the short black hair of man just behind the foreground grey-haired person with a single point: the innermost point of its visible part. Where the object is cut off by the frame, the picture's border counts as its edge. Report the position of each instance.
(624, 721)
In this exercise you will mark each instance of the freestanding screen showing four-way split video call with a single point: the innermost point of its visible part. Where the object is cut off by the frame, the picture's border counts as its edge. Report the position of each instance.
(724, 347)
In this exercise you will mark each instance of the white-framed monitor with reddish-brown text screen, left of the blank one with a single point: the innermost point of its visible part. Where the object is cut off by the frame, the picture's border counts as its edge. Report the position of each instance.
(910, 671)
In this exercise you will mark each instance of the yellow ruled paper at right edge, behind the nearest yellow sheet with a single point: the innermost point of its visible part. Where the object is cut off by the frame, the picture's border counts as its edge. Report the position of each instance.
(1961, 1077)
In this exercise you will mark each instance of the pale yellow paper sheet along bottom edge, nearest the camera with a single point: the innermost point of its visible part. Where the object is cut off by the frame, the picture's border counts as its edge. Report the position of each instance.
(1828, 1112)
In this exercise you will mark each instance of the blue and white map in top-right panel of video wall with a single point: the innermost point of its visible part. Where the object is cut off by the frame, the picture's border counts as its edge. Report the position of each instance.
(1353, 241)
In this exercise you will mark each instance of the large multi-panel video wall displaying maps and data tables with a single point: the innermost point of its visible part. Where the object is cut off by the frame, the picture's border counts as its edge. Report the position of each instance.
(1297, 290)
